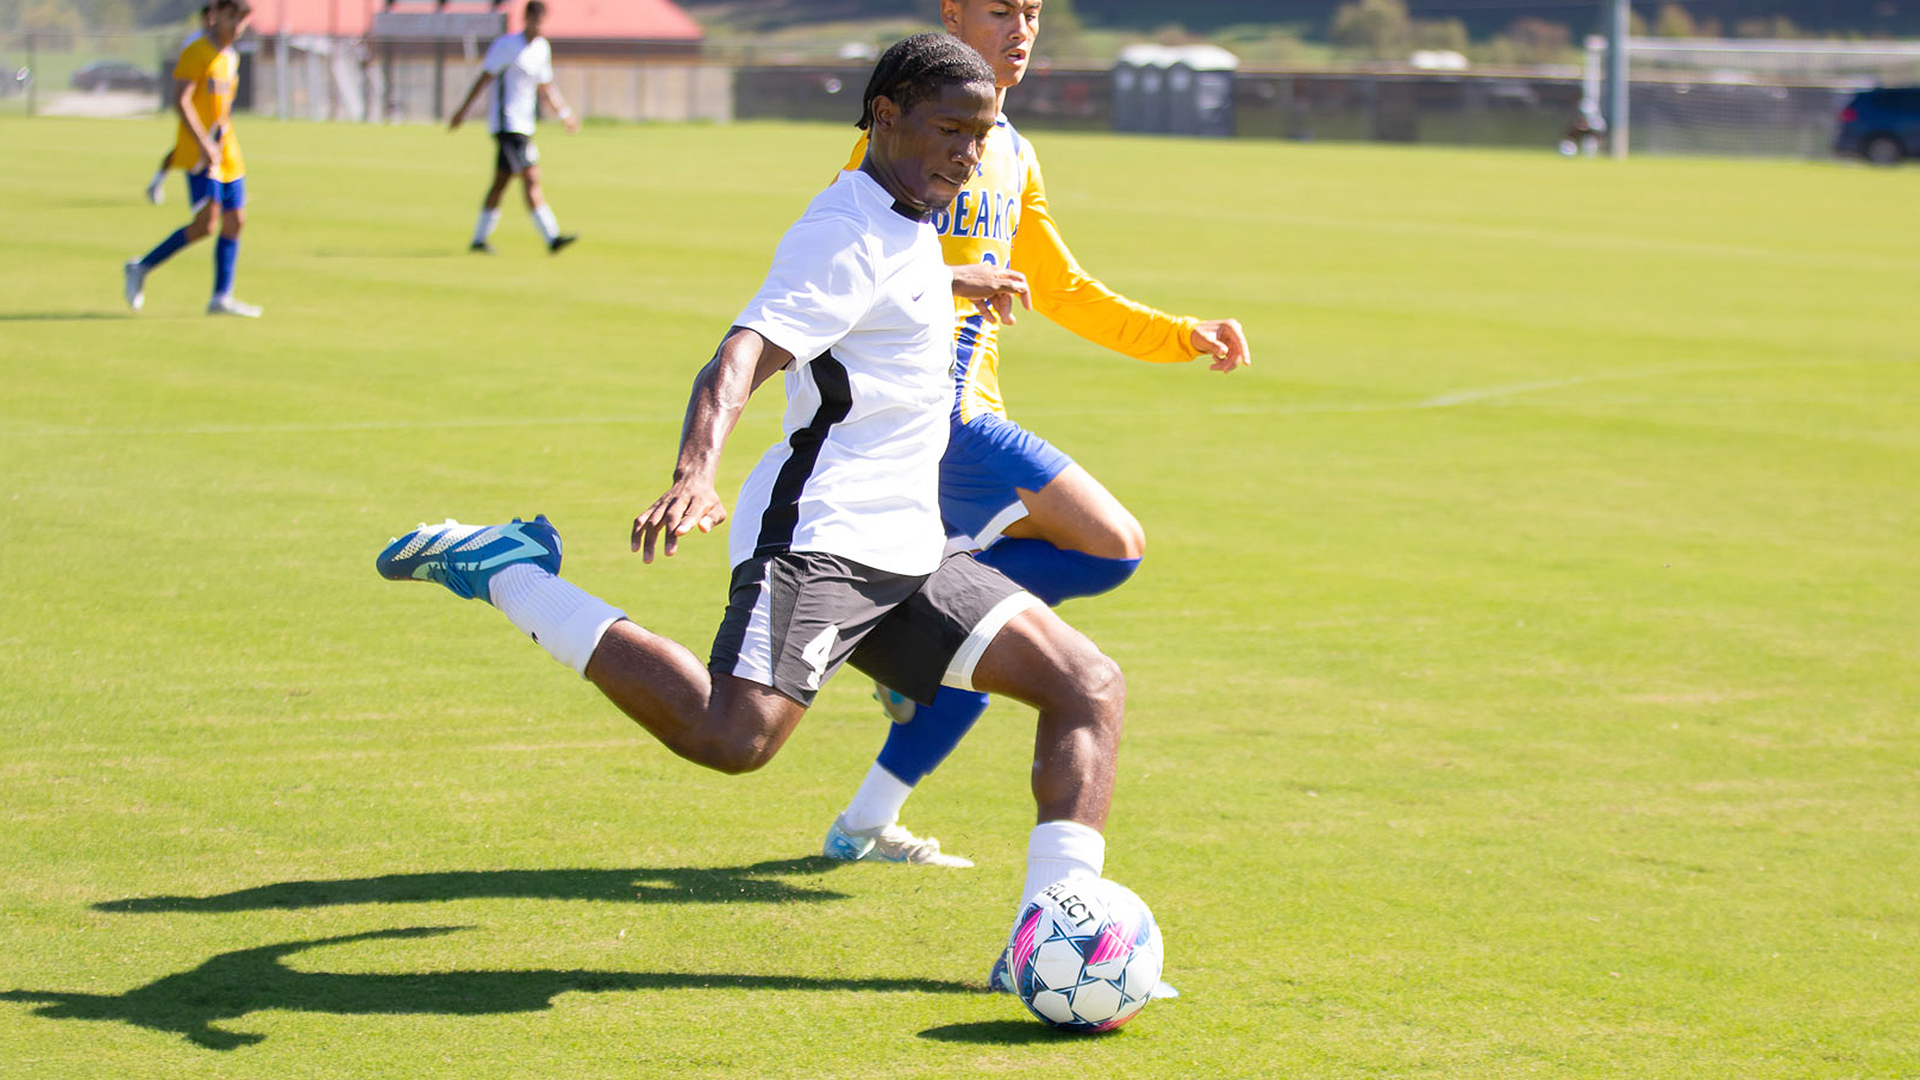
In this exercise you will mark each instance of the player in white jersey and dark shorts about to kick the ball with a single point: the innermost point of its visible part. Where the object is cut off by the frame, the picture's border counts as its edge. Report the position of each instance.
(838, 547)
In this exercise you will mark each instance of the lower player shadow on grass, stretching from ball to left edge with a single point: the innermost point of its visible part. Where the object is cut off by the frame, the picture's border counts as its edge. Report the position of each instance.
(247, 981)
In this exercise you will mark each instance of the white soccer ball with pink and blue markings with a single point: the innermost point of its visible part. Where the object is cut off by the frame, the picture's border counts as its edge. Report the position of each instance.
(1086, 954)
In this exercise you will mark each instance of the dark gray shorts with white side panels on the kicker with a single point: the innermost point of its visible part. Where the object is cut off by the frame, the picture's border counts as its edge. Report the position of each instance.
(796, 618)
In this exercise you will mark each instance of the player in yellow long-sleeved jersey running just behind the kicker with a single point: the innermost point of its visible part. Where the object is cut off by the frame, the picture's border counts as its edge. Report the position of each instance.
(1007, 493)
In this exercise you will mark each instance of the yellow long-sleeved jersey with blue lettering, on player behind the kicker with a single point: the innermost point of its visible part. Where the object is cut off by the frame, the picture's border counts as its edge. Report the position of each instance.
(1001, 218)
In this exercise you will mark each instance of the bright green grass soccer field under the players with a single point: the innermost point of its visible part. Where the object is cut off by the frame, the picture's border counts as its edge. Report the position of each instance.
(1522, 677)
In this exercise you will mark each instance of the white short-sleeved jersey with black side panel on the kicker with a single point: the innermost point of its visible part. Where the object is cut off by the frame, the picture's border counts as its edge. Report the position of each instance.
(863, 301)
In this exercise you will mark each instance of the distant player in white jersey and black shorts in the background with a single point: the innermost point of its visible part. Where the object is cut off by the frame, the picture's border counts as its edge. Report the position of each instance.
(517, 68)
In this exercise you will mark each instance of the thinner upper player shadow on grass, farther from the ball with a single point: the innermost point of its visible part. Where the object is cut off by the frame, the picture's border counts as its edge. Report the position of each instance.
(759, 883)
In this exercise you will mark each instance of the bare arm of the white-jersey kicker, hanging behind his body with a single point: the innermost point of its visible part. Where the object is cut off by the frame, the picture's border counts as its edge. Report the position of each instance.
(721, 391)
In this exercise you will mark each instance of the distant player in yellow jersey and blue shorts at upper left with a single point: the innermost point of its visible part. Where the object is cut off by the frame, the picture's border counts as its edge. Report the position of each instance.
(204, 86)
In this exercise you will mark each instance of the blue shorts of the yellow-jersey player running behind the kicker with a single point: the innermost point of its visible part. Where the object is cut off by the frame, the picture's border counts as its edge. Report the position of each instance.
(986, 466)
